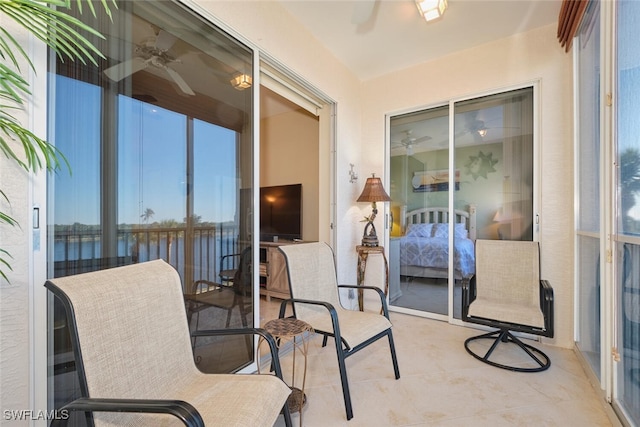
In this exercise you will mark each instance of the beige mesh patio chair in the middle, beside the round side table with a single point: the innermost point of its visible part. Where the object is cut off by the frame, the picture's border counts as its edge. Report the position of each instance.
(315, 300)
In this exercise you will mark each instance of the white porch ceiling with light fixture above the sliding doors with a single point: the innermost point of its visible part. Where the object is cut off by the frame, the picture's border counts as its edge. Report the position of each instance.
(396, 36)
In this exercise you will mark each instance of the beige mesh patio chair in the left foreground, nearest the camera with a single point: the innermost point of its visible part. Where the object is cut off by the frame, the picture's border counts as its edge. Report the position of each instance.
(134, 360)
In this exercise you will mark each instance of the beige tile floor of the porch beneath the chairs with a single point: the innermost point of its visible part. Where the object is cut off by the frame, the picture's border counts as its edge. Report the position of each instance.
(440, 384)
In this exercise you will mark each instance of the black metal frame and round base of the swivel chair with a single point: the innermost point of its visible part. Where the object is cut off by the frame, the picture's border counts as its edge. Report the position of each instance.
(504, 335)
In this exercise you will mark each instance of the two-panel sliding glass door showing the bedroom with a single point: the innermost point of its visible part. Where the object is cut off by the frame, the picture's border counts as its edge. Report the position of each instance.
(451, 185)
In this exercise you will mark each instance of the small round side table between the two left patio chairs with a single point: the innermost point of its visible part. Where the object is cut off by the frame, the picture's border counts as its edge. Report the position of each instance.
(292, 329)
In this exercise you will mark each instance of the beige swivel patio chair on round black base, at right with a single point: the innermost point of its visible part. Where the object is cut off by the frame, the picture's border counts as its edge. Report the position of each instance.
(507, 293)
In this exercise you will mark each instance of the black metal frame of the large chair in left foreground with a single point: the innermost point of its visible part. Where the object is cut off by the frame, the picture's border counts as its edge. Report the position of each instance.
(182, 410)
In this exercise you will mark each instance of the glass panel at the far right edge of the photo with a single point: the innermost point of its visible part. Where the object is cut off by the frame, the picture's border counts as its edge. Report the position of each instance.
(627, 232)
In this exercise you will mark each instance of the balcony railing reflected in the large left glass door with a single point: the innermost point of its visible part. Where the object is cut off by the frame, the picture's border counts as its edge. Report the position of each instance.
(195, 254)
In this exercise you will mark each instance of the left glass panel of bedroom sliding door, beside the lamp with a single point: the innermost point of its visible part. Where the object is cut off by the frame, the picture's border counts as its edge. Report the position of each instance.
(419, 192)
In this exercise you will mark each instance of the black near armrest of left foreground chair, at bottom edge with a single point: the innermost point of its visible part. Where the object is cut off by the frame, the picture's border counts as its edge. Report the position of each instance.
(178, 408)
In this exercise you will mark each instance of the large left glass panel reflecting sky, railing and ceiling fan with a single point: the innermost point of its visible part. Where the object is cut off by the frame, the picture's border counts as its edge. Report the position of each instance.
(159, 140)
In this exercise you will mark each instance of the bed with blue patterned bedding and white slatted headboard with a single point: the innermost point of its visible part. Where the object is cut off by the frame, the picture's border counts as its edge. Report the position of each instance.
(424, 248)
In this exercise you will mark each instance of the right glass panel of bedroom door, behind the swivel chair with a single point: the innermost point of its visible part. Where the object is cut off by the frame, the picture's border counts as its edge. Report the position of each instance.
(494, 163)
